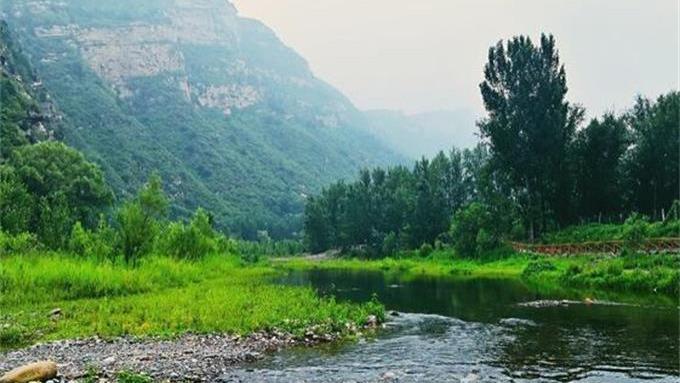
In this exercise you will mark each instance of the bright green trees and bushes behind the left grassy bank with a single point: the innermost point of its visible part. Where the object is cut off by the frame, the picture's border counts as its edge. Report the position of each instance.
(52, 198)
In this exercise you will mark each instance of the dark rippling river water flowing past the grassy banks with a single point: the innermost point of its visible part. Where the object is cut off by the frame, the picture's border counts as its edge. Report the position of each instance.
(477, 330)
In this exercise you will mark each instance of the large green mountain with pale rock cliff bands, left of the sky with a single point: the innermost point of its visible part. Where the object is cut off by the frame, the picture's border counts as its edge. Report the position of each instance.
(232, 119)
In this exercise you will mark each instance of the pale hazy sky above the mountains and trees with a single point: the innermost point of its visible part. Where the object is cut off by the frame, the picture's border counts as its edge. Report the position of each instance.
(419, 55)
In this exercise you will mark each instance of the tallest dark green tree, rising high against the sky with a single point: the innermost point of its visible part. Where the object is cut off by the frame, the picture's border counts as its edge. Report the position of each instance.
(530, 125)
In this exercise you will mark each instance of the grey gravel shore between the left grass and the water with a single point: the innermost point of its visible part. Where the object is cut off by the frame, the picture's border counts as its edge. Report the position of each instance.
(186, 358)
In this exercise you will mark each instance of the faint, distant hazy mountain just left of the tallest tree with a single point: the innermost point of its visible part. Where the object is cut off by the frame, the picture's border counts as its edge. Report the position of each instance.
(423, 134)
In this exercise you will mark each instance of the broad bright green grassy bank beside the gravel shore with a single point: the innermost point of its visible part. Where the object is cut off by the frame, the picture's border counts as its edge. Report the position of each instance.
(159, 297)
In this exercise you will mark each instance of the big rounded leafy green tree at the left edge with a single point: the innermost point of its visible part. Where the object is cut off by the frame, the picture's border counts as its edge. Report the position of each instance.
(46, 188)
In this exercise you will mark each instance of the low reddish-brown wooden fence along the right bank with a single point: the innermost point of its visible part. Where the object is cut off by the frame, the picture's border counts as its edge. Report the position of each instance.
(606, 247)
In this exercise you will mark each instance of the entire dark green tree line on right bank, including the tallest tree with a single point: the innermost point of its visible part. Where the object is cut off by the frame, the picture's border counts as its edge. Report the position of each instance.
(538, 168)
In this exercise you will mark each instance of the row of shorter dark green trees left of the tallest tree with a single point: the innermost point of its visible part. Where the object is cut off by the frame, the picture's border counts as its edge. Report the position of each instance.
(395, 208)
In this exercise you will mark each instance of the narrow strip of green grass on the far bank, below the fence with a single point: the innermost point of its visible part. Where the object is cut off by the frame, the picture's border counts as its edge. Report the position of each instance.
(631, 273)
